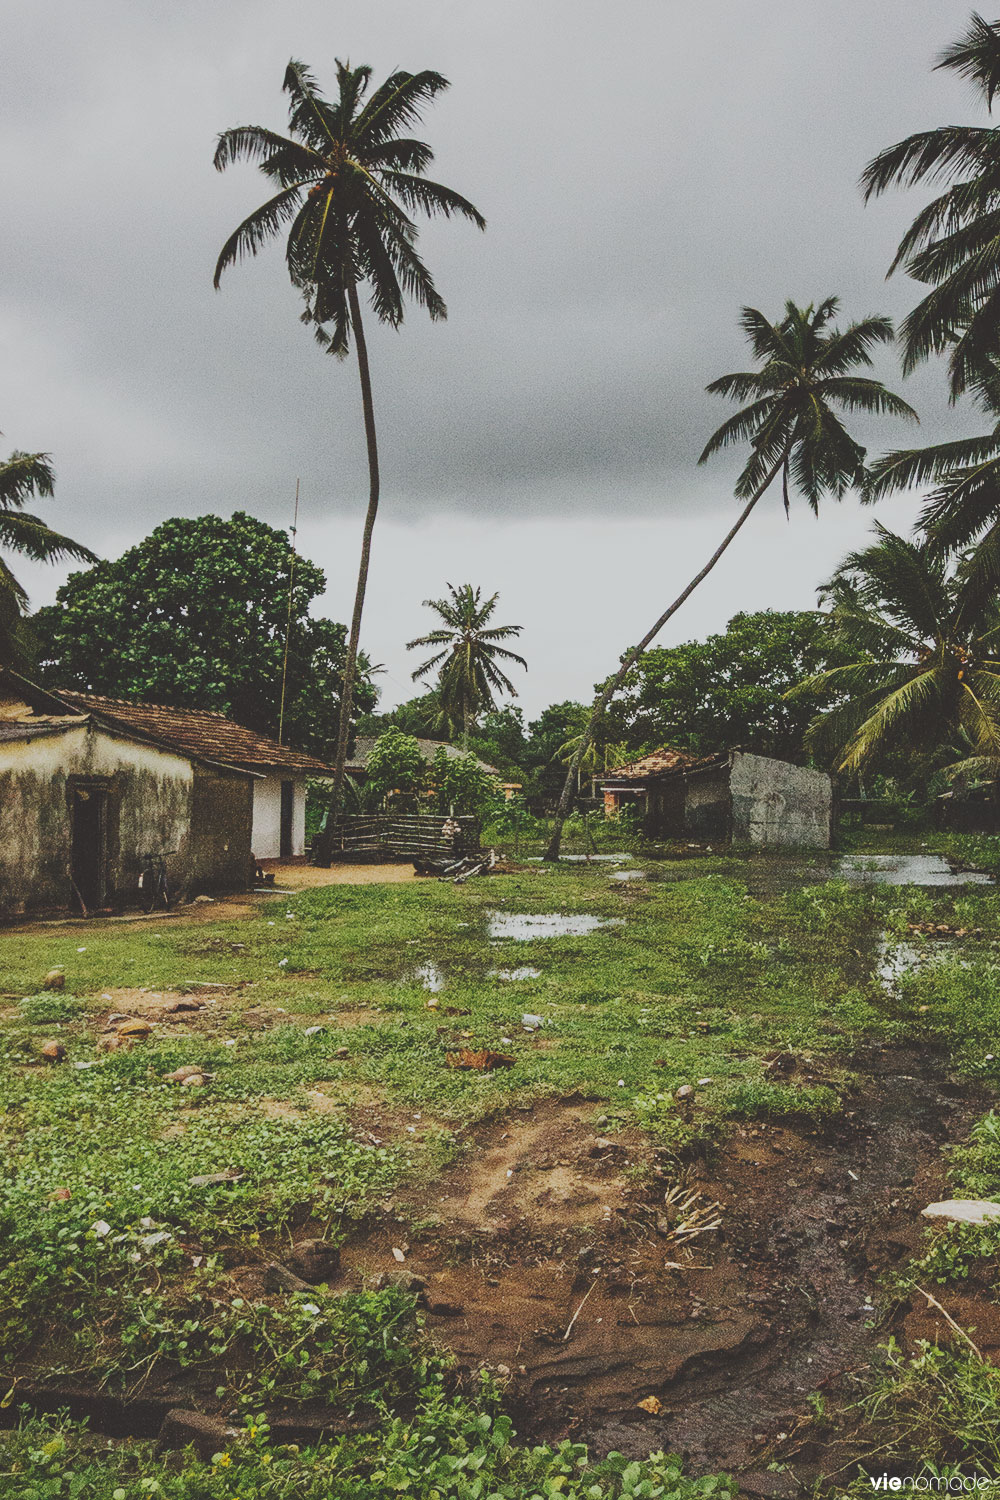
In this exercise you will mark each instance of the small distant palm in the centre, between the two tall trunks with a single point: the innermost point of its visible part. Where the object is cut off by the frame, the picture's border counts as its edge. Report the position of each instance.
(470, 656)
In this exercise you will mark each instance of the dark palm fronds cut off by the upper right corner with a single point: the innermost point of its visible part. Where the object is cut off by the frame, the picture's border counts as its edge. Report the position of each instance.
(954, 244)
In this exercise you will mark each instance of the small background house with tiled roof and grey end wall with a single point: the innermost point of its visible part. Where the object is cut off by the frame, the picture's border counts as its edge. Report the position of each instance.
(729, 799)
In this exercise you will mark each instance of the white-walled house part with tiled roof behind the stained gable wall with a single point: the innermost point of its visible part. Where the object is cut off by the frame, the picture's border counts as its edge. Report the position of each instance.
(278, 772)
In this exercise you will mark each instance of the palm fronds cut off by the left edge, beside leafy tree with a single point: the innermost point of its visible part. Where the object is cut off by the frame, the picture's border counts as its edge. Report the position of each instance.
(23, 478)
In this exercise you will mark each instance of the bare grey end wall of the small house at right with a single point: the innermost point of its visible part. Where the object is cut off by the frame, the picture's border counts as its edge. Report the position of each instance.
(777, 803)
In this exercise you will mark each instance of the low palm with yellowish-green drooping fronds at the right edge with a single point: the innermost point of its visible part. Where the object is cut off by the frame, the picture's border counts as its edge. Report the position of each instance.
(926, 676)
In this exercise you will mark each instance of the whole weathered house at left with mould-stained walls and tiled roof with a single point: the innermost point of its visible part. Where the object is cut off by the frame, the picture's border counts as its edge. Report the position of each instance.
(89, 787)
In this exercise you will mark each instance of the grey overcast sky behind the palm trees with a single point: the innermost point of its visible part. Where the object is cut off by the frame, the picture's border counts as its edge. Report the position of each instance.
(647, 169)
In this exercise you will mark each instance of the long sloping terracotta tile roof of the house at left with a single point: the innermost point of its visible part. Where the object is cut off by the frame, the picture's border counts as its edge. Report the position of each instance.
(200, 733)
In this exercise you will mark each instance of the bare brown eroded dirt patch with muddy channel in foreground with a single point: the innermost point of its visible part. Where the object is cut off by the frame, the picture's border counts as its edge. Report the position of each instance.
(551, 1258)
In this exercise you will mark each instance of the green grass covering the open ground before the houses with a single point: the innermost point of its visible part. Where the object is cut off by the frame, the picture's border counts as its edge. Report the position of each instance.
(113, 1262)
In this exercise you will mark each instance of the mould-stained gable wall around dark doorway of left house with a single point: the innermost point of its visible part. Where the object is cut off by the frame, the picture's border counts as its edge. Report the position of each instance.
(148, 809)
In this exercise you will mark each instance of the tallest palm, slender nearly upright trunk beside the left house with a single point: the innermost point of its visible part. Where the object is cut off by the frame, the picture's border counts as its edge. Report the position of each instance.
(349, 184)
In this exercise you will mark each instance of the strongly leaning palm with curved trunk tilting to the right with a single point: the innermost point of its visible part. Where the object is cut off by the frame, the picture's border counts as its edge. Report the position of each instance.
(804, 377)
